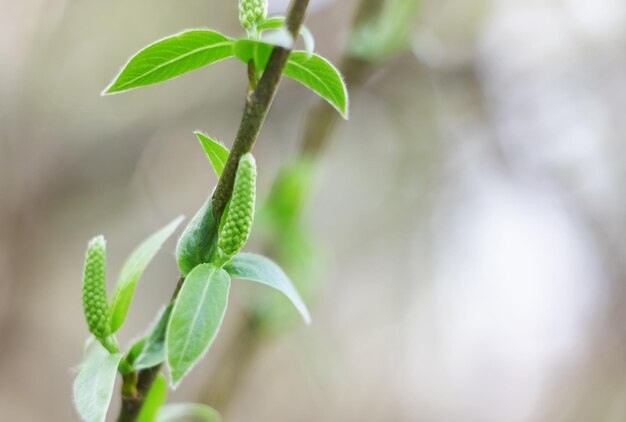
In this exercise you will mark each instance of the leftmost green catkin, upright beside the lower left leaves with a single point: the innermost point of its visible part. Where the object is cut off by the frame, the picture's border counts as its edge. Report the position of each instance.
(94, 290)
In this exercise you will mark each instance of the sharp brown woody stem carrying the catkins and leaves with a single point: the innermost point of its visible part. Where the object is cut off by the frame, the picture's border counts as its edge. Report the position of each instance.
(257, 105)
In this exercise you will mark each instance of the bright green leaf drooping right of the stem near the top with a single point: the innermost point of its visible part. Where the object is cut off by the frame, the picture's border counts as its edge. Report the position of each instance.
(321, 76)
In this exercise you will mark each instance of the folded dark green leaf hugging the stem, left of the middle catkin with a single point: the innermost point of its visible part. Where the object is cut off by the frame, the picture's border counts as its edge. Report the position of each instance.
(198, 242)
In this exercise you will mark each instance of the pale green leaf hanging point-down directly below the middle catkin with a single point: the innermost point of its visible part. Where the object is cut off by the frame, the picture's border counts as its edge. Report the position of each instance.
(196, 318)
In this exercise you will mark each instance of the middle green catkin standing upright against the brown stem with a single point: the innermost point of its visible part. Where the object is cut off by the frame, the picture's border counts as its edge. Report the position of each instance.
(236, 229)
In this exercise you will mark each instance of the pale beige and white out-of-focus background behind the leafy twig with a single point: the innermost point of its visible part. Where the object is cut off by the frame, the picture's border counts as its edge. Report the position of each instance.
(465, 228)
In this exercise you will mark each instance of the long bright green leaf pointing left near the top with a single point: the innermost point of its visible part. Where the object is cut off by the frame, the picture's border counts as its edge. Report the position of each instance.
(171, 57)
